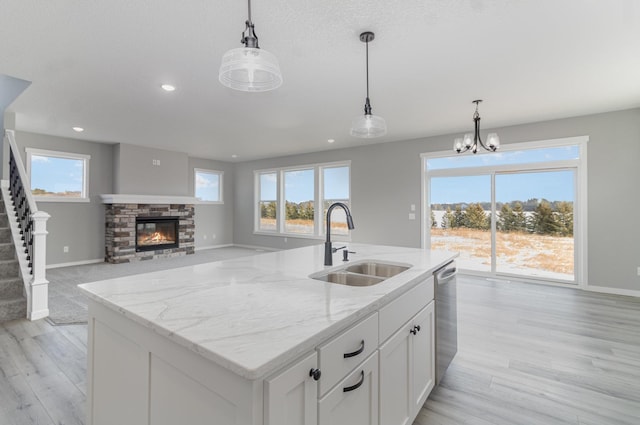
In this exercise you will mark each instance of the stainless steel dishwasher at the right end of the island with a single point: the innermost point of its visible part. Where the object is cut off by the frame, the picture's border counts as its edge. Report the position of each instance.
(446, 317)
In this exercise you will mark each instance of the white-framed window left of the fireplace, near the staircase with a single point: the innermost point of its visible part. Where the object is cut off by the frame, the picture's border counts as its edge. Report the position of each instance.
(58, 176)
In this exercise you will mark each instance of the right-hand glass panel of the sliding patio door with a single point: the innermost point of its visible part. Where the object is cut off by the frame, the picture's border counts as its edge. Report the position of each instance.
(534, 224)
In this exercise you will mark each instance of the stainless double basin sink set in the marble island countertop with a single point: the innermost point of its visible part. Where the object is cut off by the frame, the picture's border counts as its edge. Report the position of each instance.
(364, 273)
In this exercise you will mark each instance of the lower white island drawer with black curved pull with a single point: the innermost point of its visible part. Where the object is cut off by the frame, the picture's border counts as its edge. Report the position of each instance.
(354, 400)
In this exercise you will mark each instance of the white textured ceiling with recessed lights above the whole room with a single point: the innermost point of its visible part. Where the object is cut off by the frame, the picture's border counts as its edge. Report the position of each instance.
(99, 65)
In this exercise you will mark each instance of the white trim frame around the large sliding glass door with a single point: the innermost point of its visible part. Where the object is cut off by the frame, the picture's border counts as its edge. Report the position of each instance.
(580, 208)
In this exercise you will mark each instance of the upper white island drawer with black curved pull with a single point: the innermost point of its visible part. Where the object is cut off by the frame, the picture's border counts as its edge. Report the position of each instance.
(343, 353)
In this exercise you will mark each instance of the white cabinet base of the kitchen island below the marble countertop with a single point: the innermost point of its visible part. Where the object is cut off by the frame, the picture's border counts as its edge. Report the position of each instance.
(379, 371)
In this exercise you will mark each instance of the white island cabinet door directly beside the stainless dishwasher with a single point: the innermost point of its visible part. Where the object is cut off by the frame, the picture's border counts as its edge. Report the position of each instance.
(422, 357)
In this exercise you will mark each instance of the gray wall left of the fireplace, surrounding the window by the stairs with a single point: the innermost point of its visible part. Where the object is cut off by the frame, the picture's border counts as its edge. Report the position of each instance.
(80, 226)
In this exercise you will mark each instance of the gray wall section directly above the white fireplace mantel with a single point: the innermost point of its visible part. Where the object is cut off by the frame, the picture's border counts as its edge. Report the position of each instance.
(136, 174)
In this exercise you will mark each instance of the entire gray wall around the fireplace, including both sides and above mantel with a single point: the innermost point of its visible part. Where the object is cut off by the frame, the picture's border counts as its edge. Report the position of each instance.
(80, 226)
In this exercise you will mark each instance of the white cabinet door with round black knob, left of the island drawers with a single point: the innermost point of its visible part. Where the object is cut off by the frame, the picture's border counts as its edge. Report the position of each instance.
(291, 397)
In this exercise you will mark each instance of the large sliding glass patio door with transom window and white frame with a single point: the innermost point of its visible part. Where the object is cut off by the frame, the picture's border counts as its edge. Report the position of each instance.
(516, 213)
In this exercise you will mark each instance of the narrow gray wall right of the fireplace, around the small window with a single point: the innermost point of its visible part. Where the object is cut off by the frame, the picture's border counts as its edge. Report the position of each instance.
(214, 222)
